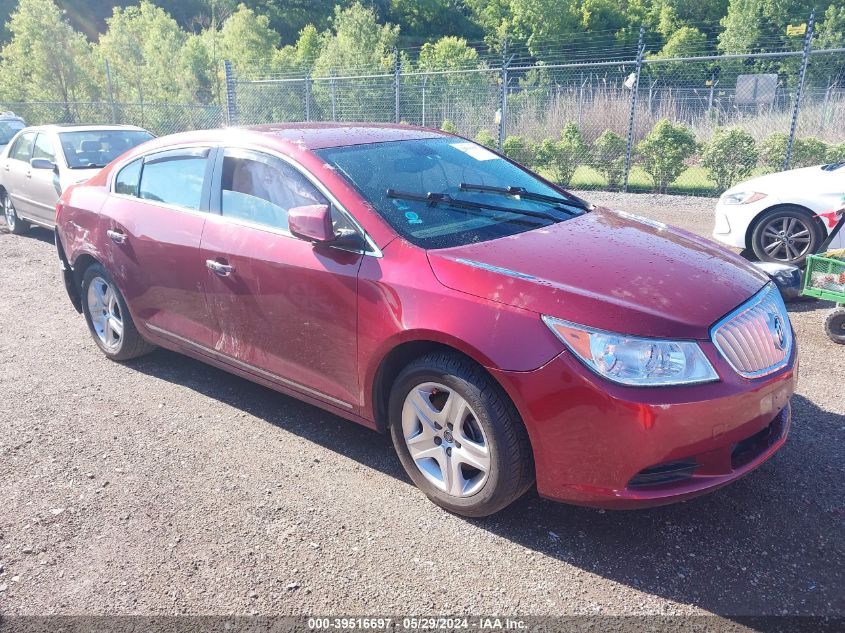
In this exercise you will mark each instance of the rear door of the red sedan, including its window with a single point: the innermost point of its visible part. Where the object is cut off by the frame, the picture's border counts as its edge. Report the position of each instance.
(153, 222)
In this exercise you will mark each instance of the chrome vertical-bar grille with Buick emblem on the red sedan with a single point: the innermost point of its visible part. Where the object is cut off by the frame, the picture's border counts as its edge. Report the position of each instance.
(756, 338)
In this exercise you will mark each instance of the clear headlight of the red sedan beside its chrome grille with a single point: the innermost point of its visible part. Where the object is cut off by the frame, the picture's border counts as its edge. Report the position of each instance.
(633, 361)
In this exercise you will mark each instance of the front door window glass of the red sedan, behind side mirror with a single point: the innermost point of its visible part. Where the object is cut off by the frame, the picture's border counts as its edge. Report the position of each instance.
(261, 188)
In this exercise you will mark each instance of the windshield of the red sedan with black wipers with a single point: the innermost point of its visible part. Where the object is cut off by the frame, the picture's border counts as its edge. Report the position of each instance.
(390, 176)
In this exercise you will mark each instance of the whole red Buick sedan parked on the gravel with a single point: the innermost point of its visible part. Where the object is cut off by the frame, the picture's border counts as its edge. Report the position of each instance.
(501, 329)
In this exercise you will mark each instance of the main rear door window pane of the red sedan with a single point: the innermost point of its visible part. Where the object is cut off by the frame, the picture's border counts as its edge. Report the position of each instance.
(174, 178)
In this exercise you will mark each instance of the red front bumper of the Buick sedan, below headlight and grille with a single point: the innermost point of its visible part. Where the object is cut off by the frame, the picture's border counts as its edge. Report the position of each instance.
(604, 445)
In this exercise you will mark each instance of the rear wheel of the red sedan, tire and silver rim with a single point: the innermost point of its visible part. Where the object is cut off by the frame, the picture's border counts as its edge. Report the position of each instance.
(101, 297)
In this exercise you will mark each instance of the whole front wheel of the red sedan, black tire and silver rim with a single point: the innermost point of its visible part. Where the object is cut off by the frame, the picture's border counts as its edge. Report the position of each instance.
(487, 463)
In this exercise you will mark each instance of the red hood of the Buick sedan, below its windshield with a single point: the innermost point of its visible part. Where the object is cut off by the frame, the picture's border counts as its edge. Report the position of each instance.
(608, 270)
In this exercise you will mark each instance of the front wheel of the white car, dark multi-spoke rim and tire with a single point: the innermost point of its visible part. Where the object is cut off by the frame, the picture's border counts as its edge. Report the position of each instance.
(770, 239)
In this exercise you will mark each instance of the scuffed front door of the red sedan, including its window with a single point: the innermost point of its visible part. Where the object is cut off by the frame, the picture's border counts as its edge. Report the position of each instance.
(284, 309)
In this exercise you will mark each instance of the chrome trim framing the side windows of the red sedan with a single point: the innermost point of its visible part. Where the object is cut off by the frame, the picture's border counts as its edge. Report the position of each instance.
(374, 250)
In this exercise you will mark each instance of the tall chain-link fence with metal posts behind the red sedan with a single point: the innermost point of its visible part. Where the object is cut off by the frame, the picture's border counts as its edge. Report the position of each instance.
(597, 124)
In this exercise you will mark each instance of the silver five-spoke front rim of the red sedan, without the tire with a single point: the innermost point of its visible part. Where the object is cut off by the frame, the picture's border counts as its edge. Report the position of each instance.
(445, 439)
